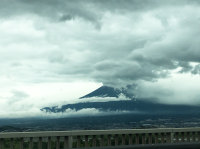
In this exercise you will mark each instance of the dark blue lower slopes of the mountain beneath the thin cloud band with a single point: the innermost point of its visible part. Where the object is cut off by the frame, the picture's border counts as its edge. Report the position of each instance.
(138, 106)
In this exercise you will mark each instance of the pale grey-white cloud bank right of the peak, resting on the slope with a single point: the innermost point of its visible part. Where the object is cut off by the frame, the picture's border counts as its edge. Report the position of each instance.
(176, 89)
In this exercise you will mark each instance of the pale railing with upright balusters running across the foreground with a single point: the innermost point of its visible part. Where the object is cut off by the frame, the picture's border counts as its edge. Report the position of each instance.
(97, 138)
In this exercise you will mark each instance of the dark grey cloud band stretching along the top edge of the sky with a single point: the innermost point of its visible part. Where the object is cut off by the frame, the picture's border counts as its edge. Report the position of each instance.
(90, 10)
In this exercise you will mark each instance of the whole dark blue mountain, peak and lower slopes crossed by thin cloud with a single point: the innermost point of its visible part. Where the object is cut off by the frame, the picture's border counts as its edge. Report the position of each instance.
(131, 105)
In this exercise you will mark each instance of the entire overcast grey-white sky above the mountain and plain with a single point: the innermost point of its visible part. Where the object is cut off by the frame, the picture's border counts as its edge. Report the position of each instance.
(53, 51)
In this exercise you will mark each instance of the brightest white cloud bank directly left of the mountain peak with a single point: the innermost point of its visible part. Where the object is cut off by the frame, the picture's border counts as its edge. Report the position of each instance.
(28, 99)
